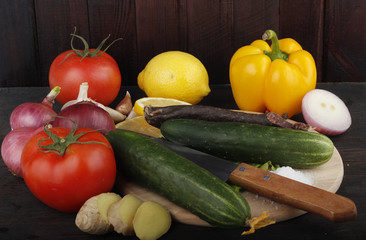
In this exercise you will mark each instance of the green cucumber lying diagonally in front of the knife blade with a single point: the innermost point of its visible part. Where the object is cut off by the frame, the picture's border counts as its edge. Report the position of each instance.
(163, 171)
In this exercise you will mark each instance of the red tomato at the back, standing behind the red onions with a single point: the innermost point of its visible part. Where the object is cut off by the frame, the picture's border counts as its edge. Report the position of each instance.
(102, 74)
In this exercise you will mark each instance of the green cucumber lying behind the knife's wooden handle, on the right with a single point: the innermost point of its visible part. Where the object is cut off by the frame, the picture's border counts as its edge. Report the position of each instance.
(251, 143)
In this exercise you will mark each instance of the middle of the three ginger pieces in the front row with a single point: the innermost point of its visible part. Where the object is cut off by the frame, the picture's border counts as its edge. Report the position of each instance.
(121, 214)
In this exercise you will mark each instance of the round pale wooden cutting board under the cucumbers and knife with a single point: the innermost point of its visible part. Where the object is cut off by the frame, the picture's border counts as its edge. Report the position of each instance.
(327, 176)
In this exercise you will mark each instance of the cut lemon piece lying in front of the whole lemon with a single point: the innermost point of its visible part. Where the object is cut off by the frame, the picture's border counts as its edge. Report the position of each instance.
(155, 102)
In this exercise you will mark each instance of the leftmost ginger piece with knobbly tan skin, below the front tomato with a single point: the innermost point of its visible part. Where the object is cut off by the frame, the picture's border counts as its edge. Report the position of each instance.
(93, 215)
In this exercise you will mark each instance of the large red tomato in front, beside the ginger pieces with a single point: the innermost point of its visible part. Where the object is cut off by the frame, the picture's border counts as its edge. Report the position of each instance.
(65, 182)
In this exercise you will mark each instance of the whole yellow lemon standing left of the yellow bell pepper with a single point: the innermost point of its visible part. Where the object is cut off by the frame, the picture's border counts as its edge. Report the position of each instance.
(175, 74)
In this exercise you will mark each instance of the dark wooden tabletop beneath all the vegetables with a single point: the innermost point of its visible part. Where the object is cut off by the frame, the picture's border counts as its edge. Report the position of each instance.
(22, 216)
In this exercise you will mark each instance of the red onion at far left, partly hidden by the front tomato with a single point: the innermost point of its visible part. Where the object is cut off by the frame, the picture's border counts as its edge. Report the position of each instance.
(13, 145)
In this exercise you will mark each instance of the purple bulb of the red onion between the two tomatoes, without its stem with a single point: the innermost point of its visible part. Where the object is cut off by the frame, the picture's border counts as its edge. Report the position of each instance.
(86, 115)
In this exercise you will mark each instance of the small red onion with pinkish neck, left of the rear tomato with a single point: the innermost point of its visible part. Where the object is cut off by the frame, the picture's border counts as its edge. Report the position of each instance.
(34, 114)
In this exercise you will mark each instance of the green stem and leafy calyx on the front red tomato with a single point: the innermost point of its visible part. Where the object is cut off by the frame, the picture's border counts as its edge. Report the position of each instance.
(59, 144)
